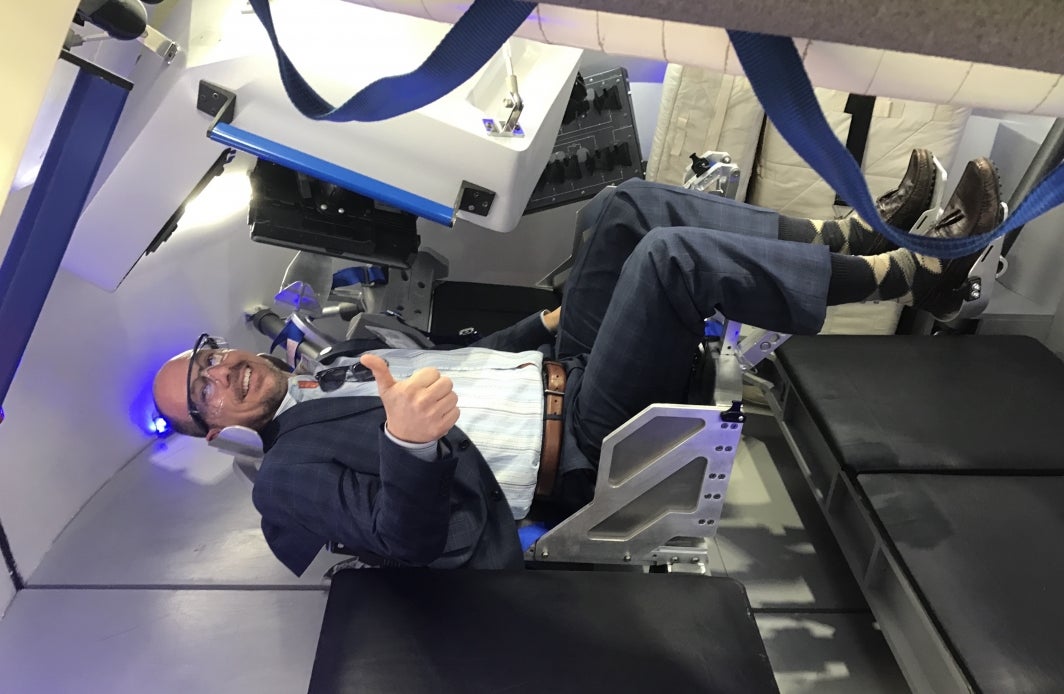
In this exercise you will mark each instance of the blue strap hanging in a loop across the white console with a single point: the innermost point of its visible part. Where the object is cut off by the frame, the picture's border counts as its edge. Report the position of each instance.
(474, 40)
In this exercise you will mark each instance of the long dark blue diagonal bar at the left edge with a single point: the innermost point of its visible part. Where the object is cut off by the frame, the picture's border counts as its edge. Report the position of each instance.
(53, 211)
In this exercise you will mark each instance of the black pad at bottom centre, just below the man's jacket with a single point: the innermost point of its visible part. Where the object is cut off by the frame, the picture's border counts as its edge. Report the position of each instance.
(528, 633)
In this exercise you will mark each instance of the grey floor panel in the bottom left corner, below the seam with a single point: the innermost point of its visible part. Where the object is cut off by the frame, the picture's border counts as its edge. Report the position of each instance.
(164, 642)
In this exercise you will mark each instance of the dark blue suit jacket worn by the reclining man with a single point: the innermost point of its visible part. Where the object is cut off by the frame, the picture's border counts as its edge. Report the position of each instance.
(331, 474)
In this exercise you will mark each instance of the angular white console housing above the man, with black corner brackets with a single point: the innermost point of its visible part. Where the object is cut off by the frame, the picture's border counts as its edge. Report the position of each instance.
(341, 48)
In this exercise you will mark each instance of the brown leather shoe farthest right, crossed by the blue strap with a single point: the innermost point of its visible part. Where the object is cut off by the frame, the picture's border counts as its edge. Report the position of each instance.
(975, 209)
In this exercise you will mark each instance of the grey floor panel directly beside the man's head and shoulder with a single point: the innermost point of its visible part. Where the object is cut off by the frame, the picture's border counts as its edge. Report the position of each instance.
(177, 516)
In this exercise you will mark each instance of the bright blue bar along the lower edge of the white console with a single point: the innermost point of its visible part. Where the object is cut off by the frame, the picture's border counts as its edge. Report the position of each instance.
(272, 152)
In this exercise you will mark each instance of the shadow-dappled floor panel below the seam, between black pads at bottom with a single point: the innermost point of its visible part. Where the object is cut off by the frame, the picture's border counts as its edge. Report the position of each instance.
(829, 654)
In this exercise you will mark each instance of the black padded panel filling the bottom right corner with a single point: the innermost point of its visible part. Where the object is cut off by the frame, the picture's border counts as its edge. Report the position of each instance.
(988, 556)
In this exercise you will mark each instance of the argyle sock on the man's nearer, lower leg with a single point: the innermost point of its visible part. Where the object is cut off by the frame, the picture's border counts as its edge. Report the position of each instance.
(897, 275)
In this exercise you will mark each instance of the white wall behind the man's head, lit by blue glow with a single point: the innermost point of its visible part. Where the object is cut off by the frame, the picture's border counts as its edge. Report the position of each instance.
(80, 401)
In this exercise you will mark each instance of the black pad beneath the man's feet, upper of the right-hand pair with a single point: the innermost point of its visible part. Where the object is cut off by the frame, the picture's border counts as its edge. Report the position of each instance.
(979, 403)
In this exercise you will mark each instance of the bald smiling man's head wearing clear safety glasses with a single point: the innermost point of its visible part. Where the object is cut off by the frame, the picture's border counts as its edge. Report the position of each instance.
(203, 391)
